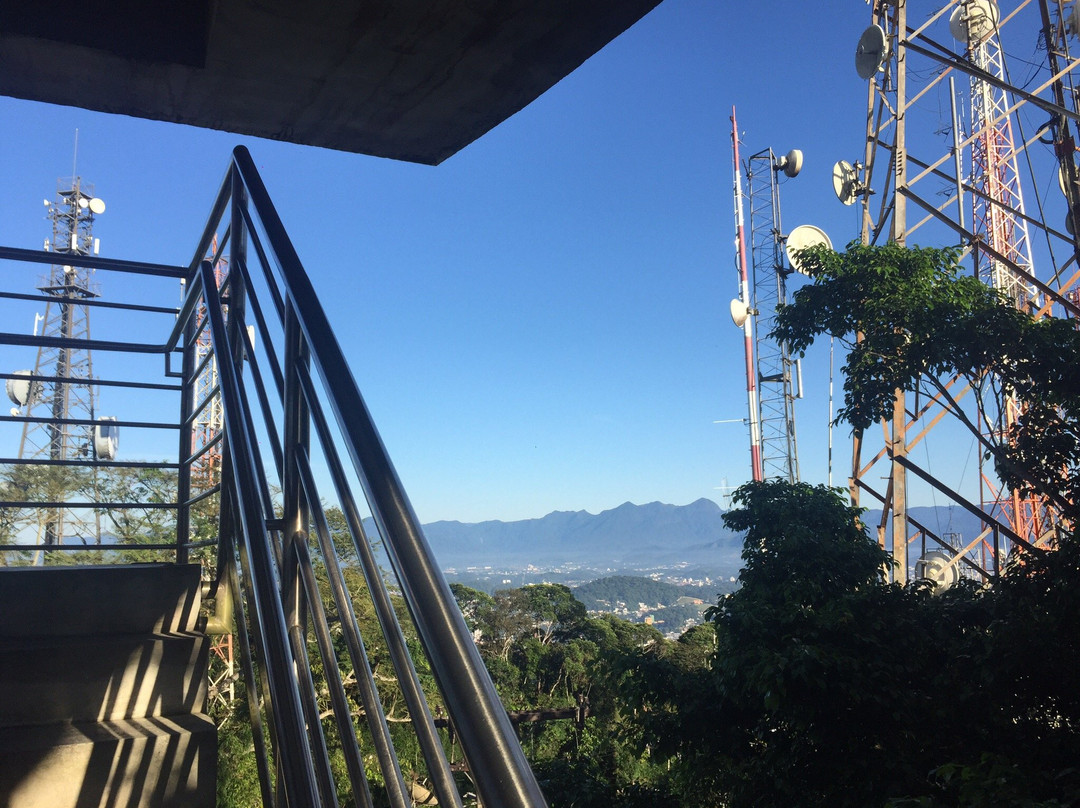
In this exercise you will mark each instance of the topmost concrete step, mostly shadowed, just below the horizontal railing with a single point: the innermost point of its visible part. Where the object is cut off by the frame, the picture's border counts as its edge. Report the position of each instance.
(138, 599)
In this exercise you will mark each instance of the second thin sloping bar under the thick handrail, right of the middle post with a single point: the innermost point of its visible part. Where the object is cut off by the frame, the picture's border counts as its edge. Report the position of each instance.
(355, 642)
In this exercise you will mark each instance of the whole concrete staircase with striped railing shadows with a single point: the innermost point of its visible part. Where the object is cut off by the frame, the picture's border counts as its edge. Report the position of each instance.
(103, 690)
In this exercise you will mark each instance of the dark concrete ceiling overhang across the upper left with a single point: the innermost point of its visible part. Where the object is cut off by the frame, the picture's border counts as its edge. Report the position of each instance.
(407, 79)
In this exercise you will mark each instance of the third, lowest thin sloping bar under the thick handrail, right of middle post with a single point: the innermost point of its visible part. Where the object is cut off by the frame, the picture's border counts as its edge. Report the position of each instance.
(343, 716)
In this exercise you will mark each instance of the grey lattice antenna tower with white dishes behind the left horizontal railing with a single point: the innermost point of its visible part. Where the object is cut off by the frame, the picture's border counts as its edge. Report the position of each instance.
(58, 397)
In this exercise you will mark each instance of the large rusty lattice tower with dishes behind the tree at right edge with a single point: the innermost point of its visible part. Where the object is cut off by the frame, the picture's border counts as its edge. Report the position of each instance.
(971, 195)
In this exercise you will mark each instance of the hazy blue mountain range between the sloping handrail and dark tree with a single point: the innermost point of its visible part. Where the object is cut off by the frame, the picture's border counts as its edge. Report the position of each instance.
(624, 537)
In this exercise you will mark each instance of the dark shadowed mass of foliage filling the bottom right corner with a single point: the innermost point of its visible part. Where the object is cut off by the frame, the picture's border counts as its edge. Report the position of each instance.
(830, 686)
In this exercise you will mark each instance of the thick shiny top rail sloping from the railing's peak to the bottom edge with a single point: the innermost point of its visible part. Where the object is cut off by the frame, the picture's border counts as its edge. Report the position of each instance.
(502, 773)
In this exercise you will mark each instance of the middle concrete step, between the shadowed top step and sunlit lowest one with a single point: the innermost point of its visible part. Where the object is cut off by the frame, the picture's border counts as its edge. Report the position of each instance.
(90, 678)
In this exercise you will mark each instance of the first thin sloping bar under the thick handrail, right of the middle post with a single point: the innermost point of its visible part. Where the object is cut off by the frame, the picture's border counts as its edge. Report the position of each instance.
(439, 767)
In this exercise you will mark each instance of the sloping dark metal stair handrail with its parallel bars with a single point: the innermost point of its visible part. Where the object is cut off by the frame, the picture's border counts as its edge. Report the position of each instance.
(294, 415)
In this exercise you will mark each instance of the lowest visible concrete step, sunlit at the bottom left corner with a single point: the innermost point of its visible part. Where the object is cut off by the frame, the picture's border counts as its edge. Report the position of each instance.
(141, 763)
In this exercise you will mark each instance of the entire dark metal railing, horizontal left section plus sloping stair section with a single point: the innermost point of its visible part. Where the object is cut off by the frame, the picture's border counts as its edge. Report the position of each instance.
(296, 445)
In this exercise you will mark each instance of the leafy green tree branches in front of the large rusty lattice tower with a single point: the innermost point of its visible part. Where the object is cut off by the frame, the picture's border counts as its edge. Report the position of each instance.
(920, 322)
